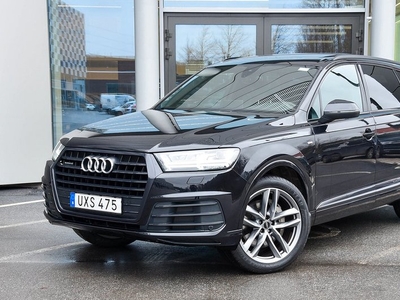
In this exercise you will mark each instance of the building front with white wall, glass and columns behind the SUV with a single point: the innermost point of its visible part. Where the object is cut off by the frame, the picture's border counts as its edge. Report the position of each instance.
(61, 58)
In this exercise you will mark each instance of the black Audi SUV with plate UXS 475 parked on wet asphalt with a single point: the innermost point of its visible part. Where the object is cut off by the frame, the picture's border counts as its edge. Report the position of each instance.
(245, 156)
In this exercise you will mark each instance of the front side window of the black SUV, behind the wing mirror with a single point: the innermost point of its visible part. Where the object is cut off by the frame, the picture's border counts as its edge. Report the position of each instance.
(340, 83)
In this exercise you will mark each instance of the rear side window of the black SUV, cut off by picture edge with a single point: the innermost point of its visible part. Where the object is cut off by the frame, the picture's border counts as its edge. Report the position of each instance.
(383, 87)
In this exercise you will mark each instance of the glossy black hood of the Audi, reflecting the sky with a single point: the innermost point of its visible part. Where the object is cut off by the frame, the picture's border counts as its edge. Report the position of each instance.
(153, 130)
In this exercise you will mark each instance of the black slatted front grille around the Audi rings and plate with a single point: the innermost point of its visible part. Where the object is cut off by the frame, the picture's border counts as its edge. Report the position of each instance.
(127, 180)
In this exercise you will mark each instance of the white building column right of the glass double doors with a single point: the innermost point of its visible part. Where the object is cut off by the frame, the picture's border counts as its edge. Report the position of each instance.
(383, 14)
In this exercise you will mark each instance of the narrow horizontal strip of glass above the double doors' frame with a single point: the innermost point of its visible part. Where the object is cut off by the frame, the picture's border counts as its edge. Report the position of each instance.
(269, 4)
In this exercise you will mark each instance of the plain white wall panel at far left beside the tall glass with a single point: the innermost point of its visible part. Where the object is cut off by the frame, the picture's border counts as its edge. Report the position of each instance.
(25, 103)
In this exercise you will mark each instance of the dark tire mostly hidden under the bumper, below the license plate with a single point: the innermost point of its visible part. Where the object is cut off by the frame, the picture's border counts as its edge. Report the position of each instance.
(103, 240)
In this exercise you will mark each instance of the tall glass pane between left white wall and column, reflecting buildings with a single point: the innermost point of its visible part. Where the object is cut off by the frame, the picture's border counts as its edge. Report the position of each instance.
(92, 60)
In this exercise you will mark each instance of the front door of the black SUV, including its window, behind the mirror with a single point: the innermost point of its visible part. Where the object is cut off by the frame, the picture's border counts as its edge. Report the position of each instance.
(345, 160)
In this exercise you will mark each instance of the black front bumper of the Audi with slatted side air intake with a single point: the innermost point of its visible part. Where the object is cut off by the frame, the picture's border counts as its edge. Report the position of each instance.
(175, 209)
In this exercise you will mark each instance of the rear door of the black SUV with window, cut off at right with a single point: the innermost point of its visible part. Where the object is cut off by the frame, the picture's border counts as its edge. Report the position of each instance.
(383, 87)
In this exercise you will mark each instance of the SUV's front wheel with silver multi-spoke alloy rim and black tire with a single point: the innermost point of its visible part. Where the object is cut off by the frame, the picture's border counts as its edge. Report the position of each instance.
(276, 226)
